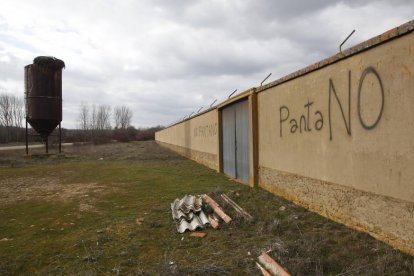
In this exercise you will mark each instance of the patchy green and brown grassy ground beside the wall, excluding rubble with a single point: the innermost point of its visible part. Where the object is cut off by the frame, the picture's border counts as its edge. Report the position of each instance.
(105, 210)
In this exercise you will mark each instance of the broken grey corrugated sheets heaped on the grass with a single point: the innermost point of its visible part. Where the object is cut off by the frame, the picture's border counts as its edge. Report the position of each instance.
(188, 214)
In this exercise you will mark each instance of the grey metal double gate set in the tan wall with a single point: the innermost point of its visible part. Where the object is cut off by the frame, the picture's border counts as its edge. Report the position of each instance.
(235, 124)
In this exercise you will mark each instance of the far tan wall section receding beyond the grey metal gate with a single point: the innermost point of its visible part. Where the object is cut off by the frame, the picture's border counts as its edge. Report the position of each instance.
(196, 139)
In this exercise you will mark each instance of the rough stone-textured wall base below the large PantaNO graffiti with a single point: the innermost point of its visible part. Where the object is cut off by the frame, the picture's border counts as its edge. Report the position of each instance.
(385, 218)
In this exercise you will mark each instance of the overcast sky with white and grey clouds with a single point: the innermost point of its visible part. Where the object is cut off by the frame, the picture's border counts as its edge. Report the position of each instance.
(167, 58)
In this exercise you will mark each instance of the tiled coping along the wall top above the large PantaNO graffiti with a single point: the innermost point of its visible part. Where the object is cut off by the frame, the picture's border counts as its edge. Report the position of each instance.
(394, 33)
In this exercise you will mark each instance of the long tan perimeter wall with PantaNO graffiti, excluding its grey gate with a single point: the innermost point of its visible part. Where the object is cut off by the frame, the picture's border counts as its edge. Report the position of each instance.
(336, 137)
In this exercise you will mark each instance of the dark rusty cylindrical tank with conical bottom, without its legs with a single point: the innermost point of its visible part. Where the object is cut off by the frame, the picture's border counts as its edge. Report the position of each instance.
(43, 94)
